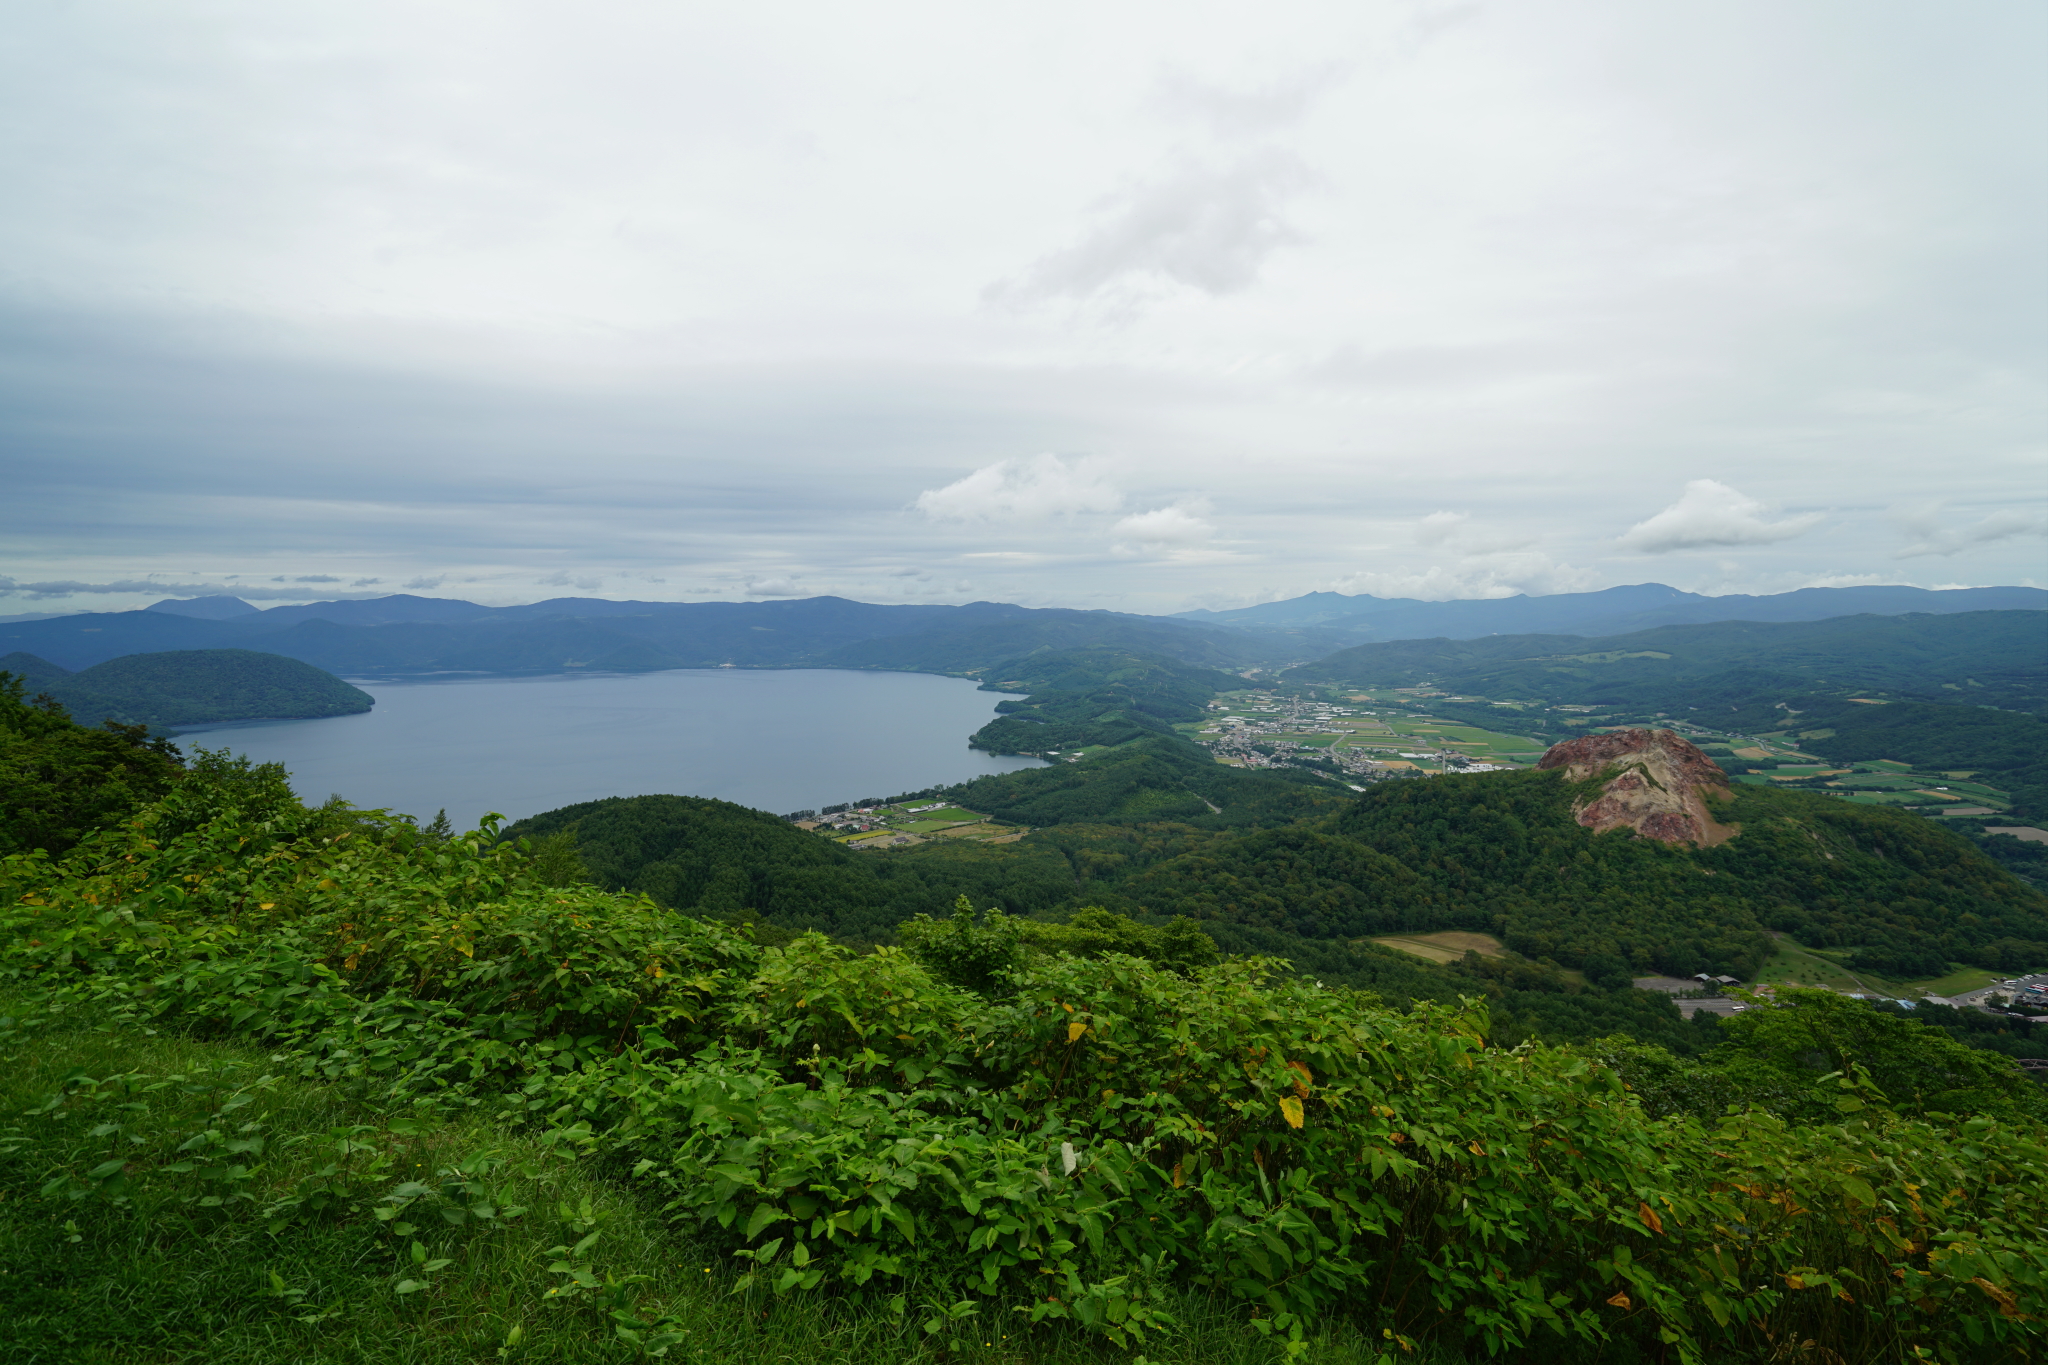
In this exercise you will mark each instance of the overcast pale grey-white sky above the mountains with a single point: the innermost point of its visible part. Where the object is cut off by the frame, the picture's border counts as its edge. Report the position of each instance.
(1113, 306)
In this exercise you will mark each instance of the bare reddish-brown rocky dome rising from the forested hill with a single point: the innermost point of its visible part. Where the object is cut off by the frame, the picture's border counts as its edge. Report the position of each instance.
(1658, 785)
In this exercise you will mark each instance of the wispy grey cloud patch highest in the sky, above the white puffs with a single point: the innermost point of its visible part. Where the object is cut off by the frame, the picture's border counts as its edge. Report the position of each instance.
(1205, 228)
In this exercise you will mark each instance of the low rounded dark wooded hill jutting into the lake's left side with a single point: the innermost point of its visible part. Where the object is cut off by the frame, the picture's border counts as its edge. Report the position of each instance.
(200, 687)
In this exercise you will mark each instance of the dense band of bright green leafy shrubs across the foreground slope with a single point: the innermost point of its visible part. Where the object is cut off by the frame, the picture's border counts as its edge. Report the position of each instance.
(1082, 1139)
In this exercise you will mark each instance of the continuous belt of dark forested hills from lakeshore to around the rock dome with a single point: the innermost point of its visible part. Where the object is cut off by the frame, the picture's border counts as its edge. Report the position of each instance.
(1304, 869)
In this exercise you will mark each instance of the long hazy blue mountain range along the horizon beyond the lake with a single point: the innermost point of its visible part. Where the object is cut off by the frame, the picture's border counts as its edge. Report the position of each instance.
(407, 635)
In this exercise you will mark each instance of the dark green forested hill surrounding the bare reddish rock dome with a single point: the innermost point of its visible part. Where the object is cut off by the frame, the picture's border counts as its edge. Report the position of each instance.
(1502, 854)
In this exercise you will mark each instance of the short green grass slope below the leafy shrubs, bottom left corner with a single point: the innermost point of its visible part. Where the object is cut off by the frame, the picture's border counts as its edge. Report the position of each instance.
(169, 1266)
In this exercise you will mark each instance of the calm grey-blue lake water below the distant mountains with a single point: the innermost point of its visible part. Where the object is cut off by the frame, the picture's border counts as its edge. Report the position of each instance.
(785, 740)
